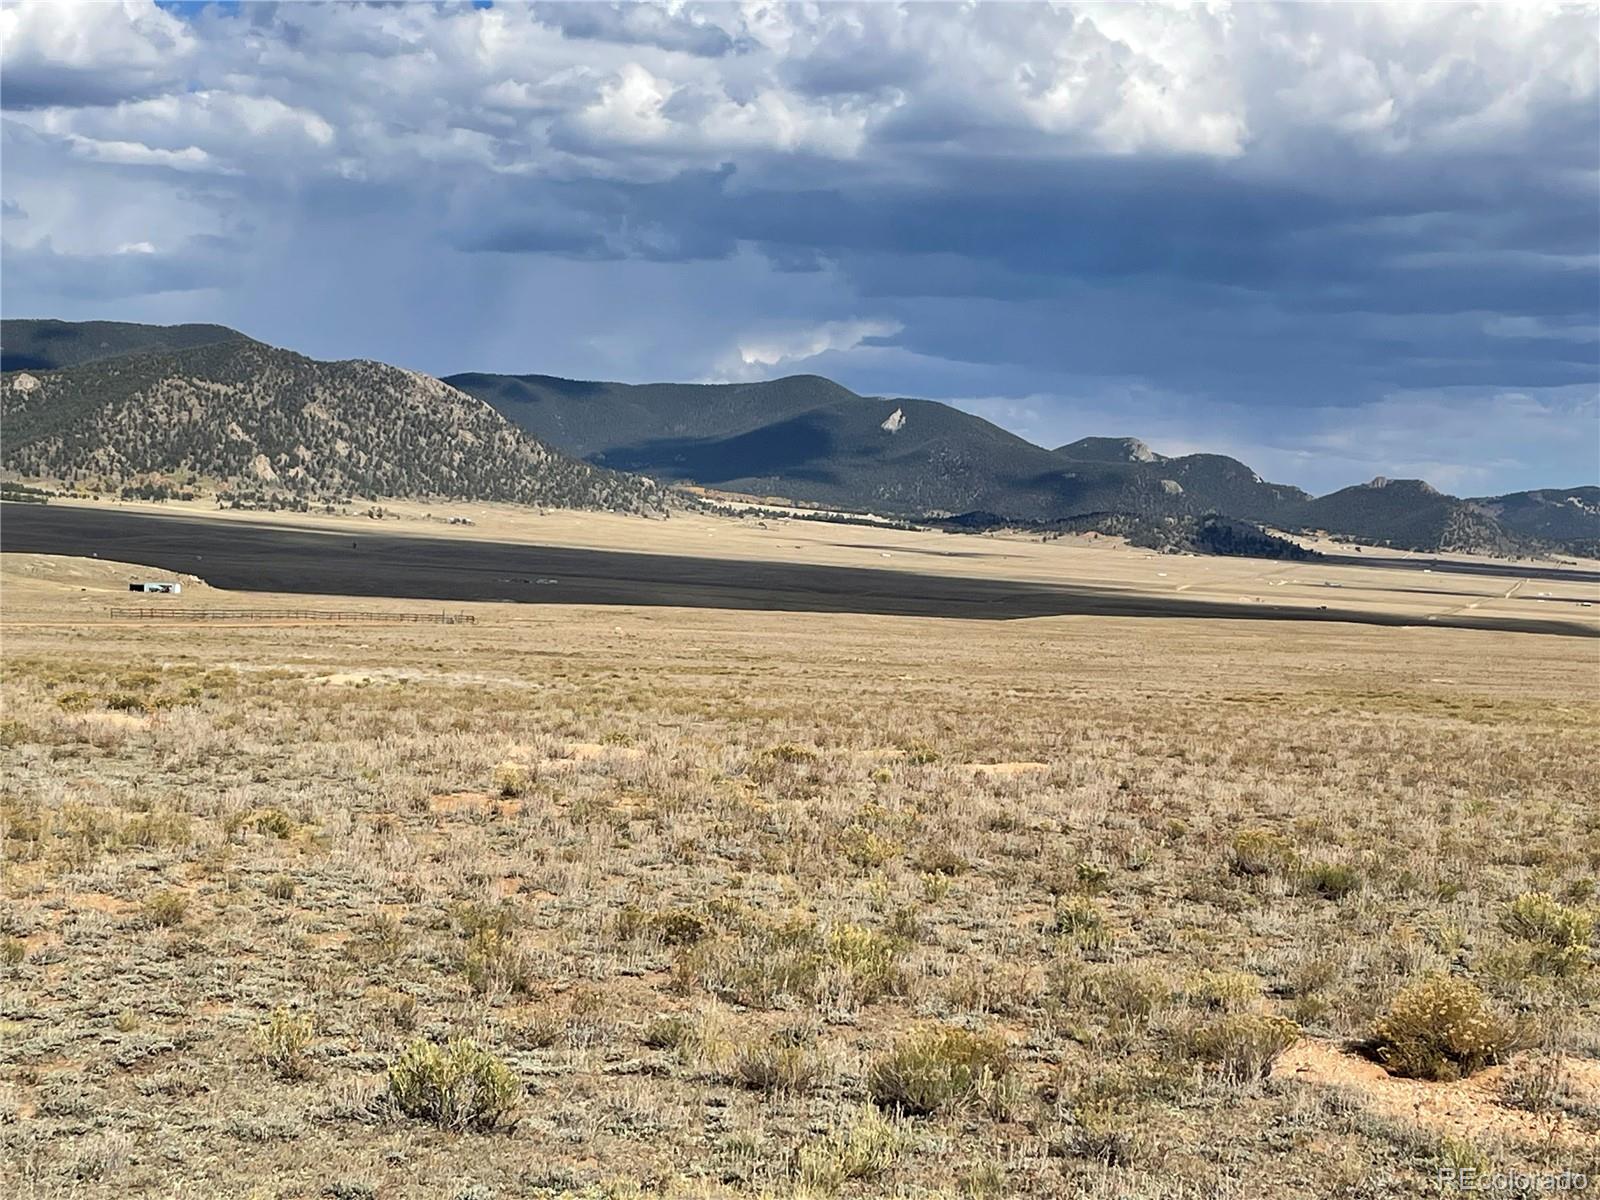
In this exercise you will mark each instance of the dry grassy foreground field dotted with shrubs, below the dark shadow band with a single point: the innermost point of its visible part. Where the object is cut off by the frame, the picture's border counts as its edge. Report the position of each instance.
(780, 903)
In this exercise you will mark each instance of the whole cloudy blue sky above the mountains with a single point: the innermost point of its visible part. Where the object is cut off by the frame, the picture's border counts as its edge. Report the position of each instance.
(1335, 242)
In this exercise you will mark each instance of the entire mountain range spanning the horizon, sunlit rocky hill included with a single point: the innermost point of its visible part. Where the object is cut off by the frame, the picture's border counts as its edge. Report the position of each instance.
(121, 402)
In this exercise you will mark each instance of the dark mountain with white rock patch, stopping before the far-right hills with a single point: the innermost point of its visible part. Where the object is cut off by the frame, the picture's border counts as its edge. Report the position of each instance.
(810, 441)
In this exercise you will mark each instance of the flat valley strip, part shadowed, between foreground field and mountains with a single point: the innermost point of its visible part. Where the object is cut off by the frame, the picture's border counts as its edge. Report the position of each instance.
(807, 569)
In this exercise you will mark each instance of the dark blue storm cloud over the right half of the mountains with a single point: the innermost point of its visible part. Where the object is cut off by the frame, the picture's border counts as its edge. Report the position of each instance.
(1182, 265)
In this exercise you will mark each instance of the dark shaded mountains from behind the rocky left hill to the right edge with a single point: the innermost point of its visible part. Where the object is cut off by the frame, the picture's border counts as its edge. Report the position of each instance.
(807, 439)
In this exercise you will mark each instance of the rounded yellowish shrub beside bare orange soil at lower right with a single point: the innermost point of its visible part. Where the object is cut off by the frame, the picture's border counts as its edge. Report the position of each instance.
(1441, 1030)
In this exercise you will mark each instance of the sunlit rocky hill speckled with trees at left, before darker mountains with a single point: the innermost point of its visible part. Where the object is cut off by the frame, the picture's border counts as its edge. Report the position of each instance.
(273, 425)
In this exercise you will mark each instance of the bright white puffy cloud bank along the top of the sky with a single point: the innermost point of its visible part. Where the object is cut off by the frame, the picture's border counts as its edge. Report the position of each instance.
(399, 87)
